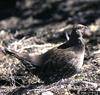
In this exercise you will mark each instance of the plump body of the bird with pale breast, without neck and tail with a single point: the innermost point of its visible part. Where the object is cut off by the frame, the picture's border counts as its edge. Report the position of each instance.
(62, 61)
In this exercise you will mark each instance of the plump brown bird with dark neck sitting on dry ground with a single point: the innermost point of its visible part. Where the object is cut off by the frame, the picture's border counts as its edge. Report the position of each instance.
(59, 62)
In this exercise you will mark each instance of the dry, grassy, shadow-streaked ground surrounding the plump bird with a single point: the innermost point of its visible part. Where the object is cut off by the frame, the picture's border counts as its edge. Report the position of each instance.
(29, 32)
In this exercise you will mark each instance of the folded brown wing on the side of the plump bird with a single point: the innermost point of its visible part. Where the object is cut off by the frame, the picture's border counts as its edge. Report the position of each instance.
(56, 59)
